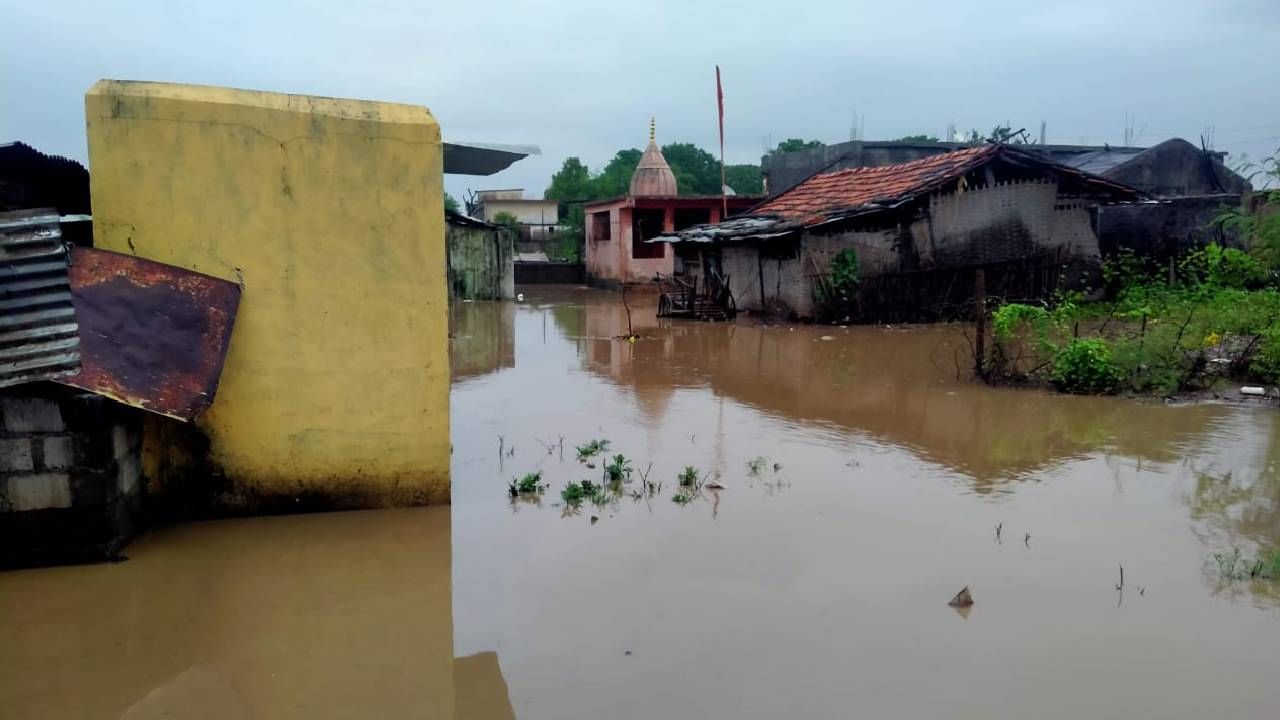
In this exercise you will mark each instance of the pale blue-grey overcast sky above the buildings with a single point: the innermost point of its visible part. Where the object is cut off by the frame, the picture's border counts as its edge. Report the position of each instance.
(583, 78)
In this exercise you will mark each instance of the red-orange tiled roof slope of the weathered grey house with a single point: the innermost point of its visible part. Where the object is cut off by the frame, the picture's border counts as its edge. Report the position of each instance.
(849, 190)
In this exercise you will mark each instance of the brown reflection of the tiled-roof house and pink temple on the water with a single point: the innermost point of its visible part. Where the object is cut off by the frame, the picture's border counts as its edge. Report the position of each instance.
(903, 388)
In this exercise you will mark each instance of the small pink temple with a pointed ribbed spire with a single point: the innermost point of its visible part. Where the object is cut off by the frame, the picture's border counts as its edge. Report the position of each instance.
(618, 230)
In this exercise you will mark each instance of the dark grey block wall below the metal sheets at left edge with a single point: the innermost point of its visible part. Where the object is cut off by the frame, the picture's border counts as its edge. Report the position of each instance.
(71, 476)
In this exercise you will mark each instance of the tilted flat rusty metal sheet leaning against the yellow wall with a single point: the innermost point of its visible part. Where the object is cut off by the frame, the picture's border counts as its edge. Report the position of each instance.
(153, 336)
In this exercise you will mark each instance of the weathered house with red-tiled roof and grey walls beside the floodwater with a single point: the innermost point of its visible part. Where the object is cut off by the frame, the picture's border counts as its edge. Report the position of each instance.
(920, 230)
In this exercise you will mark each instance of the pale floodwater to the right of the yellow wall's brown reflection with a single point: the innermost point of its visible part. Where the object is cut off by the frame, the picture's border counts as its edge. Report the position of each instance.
(821, 590)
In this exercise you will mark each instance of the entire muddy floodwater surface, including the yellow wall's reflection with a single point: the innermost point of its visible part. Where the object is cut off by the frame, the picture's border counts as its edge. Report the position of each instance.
(865, 479)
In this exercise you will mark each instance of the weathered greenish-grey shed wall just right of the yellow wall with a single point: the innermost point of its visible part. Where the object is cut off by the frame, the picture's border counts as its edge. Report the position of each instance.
(482, 263)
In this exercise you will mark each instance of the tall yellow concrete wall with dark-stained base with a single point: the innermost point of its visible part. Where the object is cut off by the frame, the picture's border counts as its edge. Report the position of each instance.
(330, 212)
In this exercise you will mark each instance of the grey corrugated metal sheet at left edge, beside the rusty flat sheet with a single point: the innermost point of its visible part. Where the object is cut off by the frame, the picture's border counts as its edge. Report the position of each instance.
(39, 338)
